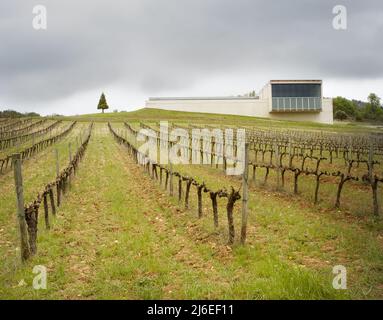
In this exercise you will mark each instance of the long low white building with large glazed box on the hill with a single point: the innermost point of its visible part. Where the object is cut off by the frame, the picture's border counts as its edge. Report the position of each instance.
(298, 100)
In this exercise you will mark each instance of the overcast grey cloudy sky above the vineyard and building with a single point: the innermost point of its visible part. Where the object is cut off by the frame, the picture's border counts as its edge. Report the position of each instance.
(135, 49)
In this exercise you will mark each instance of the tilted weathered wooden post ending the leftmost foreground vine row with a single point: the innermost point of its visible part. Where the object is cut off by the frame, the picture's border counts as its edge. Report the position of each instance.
(24, 249)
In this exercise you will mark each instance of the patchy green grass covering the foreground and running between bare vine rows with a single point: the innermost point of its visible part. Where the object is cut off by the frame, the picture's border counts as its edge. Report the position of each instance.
(119, 235)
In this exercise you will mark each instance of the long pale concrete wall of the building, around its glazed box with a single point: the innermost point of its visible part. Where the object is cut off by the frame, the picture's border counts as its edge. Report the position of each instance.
(244, 107)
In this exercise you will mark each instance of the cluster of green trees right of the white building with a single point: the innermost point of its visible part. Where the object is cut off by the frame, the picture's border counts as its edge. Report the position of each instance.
(372, 110)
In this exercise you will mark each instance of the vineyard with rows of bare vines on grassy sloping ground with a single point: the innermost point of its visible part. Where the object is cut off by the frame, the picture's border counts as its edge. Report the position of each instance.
(110, 220)
